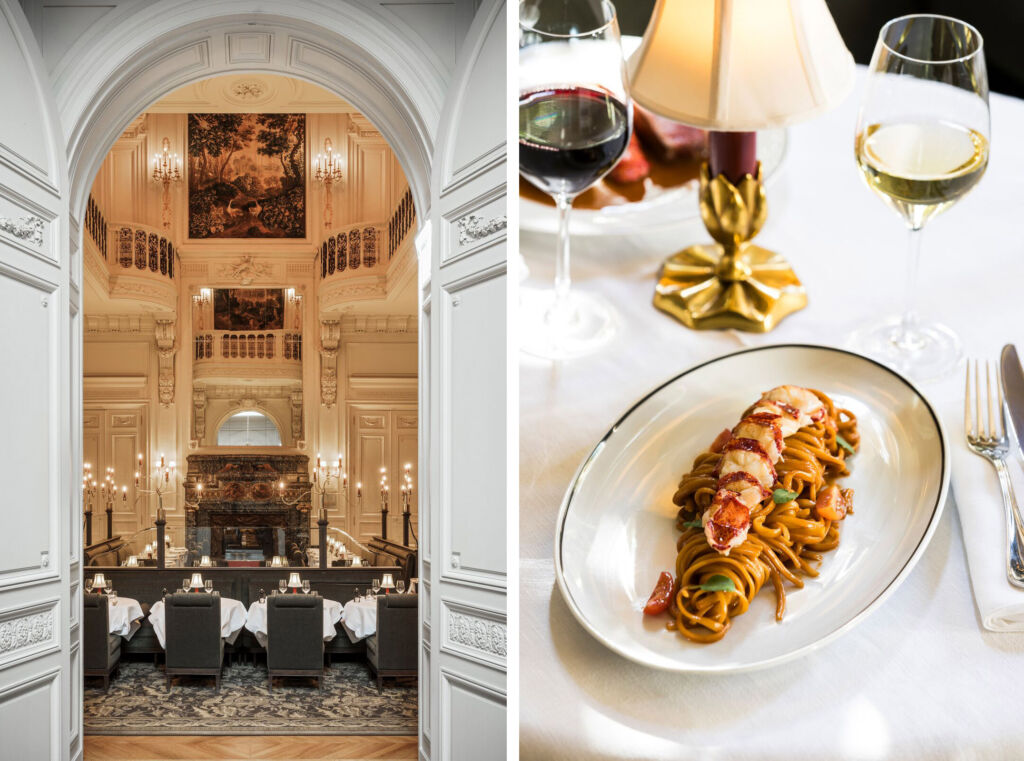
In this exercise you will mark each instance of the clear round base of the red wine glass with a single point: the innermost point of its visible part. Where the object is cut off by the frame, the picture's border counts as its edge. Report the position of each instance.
(547, 330)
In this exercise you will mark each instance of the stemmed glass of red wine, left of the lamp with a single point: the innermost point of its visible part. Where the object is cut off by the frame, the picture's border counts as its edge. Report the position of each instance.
(576, 118)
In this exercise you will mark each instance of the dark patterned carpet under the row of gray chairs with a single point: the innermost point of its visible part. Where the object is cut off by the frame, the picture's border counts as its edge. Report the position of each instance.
(139, 704)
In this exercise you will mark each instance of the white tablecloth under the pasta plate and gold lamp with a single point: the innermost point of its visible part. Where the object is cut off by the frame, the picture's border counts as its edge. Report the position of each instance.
(920, 679)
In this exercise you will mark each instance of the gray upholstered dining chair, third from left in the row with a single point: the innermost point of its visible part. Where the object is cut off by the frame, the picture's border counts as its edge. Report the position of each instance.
(295, 638)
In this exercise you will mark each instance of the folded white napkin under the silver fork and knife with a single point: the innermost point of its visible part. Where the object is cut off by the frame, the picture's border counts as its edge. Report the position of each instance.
(979, 502)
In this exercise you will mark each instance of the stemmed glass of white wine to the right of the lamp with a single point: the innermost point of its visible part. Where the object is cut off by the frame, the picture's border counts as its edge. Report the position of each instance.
(922, 145)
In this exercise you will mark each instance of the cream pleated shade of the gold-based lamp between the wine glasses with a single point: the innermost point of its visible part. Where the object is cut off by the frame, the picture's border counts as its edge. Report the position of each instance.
(741, 65)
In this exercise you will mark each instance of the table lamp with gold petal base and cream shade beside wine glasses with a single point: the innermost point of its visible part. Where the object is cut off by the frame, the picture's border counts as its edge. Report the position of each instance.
(733, 67)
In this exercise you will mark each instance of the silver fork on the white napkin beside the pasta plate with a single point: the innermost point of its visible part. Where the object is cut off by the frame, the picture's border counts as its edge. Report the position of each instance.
(991, 442)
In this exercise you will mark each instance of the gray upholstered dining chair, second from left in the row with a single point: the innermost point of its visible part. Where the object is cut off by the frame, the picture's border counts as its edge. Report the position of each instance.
(194, 646)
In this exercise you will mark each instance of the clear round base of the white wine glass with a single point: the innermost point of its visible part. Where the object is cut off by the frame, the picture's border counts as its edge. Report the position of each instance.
(930, 353)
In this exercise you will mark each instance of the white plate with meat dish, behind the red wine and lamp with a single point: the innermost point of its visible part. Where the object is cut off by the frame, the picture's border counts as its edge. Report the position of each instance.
(673, 207)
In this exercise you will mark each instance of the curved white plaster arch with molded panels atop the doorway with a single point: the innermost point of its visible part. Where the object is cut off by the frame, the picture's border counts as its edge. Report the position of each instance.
(145, 54)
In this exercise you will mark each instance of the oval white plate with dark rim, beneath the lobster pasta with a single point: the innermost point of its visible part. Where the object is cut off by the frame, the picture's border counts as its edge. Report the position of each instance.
(616, 531)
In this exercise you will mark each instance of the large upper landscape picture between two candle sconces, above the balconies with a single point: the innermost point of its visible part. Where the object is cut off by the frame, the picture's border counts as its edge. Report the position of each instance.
(247, 176)
